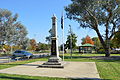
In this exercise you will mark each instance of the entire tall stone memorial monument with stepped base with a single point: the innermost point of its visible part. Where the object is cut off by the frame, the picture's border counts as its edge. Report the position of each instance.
(54, 61)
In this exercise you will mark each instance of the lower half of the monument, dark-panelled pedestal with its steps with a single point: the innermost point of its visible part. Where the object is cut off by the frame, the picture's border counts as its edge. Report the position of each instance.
(54, 61)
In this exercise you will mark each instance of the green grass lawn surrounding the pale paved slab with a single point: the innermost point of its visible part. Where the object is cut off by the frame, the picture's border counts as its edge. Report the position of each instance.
(109, 69)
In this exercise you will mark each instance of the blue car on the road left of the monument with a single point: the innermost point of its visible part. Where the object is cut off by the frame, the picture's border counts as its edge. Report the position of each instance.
(21, 53)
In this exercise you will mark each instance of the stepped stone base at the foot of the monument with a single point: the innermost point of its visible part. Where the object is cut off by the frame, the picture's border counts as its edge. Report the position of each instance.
(53, 62)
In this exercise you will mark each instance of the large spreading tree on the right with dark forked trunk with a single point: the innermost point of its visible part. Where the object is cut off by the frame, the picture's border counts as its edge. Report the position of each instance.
(94, 14)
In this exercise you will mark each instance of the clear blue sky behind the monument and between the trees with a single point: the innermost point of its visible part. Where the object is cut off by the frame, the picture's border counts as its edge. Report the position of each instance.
(36, 15)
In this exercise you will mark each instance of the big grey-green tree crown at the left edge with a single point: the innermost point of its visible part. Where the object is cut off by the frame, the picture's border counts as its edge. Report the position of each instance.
(11, 31)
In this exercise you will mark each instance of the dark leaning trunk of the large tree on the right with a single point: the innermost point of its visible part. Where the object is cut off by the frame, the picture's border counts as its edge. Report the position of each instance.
(107, 53)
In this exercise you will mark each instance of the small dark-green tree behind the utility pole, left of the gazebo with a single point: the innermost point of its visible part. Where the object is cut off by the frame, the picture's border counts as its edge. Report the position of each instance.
(74, 41)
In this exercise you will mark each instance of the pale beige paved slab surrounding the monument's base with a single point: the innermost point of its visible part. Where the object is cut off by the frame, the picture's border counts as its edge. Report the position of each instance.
(71, 70)
